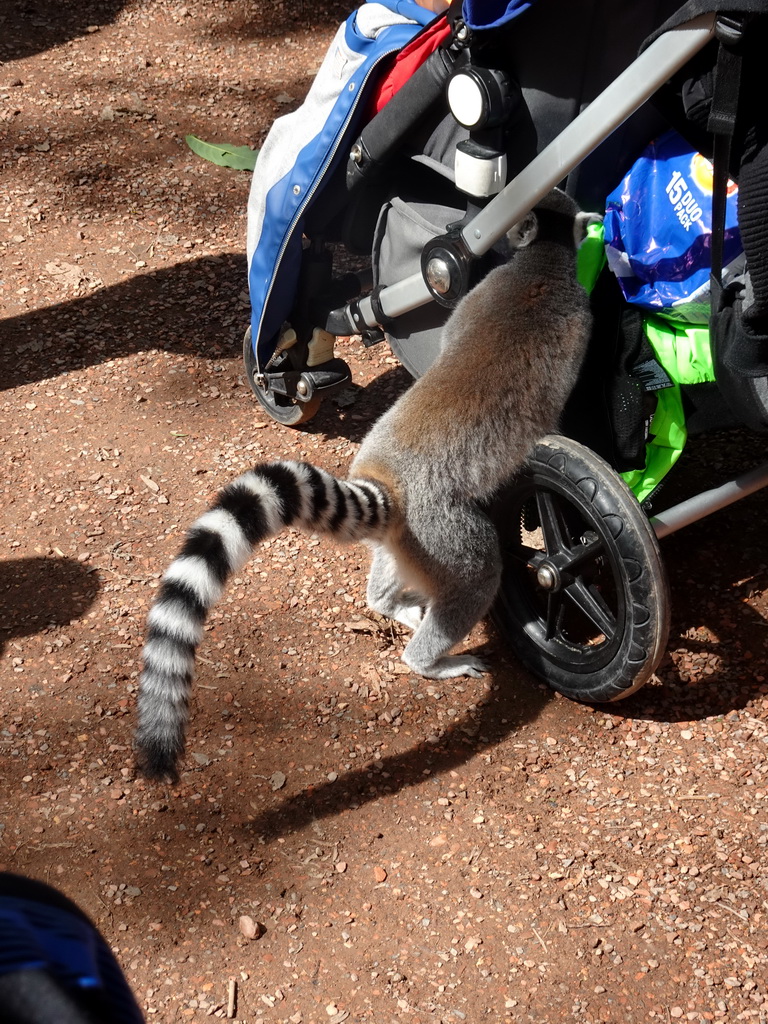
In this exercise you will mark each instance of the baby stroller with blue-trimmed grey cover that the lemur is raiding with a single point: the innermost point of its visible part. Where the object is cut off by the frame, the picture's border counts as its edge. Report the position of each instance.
(422, 142)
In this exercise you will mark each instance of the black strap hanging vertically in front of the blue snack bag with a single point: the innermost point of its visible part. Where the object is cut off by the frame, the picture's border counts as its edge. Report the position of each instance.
(722, 123)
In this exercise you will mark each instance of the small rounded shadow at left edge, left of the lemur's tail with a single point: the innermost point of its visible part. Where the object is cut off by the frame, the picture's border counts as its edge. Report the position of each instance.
(36, 593)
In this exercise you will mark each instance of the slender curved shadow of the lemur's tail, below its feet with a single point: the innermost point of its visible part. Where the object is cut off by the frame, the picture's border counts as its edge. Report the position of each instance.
(515, 701)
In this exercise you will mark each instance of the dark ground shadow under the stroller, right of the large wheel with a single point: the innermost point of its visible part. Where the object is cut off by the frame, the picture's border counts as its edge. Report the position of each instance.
(718, 573)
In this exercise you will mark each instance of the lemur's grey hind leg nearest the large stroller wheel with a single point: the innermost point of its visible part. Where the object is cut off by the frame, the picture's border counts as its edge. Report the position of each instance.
(466, 573)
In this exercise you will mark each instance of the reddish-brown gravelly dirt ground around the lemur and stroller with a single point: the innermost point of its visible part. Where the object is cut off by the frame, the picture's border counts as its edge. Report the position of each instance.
(349, 842)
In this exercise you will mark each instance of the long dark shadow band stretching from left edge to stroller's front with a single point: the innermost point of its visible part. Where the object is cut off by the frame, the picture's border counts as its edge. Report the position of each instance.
(173, 309)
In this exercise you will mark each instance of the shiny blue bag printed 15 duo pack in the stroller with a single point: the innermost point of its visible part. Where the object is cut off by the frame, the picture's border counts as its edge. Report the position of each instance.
(659, 232)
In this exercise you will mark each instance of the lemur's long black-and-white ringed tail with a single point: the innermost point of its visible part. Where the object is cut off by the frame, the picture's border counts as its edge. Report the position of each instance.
(251, 509)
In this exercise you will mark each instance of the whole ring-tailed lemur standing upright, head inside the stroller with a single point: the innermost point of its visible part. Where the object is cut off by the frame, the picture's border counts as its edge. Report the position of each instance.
(510, 356)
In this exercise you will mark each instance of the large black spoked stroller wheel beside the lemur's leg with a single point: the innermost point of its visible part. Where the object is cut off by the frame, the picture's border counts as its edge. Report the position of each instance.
(584, 598)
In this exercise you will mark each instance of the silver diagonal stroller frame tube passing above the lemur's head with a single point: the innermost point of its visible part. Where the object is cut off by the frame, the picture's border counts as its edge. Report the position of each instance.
(627, 94)
